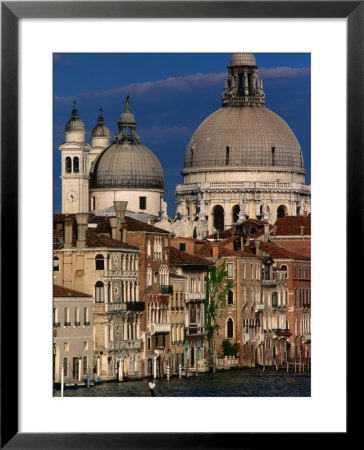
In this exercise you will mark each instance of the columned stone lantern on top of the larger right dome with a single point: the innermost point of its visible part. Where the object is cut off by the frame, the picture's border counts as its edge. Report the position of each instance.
(243, 87)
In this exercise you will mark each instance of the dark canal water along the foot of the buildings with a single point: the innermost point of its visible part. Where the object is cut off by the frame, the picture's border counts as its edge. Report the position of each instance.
(232, 383)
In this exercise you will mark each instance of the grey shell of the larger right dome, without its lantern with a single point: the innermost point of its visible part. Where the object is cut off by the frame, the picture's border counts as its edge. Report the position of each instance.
(252, 136)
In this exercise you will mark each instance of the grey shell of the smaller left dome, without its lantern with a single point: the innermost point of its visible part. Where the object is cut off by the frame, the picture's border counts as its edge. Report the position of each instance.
(127, 165)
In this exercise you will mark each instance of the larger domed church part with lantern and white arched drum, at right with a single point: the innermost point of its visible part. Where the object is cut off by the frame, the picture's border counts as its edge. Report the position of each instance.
(242, 162)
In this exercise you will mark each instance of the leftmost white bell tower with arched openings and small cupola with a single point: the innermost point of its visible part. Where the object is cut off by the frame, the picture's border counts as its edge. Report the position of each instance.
(75, 166)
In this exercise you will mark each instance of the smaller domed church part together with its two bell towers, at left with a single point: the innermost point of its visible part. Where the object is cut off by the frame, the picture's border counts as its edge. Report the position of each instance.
(96, 175)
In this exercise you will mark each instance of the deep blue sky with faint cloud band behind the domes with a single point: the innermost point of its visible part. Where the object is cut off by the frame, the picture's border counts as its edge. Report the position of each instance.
(170, 95)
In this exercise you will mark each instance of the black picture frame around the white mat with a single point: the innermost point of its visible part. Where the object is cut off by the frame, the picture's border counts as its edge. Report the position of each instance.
(11, 12)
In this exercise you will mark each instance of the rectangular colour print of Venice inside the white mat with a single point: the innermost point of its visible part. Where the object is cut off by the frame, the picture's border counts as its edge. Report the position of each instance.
(181, 225)
